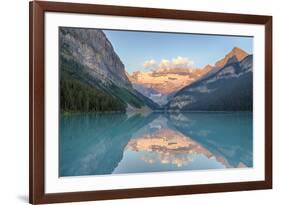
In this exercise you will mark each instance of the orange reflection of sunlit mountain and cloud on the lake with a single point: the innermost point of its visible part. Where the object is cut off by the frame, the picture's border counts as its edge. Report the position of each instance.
(170, 147)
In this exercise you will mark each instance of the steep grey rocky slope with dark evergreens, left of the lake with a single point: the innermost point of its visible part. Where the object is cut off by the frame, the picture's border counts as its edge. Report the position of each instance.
(92, 76)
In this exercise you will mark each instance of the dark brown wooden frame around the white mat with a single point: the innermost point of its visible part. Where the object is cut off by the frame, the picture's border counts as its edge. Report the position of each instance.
(37, 9)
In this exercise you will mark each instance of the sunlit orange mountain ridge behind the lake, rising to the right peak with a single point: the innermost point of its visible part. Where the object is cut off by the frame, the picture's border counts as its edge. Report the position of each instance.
(160, 84)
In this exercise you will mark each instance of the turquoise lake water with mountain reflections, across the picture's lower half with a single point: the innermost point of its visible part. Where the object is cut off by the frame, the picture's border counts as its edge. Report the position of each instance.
(113, 143)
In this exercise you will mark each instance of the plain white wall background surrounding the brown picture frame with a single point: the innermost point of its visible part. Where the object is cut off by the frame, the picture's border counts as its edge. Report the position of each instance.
(14, 100)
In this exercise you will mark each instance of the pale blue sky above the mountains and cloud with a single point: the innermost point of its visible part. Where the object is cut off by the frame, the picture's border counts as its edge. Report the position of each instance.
(136, 48)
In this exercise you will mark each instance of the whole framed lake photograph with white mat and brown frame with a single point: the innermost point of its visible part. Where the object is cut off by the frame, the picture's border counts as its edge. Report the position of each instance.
(139, 102)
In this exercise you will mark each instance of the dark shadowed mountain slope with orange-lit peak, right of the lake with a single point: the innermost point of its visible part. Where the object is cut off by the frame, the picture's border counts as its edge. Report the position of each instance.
(228, 87)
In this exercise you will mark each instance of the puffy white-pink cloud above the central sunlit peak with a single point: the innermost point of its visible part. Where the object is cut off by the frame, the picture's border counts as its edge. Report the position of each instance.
(178, 62)
